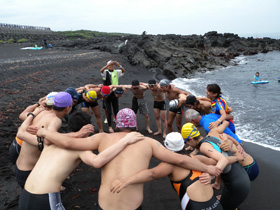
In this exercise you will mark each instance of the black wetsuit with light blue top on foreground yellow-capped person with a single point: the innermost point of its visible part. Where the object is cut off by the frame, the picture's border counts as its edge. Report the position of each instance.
(235, 179)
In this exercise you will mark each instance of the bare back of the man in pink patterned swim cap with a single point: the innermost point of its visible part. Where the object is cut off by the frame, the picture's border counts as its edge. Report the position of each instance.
(131, 160)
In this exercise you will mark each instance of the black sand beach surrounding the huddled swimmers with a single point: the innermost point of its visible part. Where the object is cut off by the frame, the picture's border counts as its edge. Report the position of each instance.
(28, 75)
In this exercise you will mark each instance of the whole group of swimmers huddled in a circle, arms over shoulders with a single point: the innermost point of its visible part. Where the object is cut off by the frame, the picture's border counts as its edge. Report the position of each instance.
(204, 148)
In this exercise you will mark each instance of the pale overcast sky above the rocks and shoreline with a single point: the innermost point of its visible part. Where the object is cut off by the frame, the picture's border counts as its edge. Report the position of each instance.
(252, 17)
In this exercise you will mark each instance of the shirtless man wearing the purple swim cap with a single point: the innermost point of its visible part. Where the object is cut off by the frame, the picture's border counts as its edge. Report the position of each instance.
(30, 153)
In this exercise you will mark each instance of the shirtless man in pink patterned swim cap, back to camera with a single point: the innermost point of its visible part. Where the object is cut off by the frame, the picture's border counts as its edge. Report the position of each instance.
(131, 160)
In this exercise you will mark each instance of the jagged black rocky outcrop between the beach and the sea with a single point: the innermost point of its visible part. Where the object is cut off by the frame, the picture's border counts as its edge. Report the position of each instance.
(175, 55)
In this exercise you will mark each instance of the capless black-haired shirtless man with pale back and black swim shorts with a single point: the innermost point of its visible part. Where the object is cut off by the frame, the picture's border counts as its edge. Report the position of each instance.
(42, 188)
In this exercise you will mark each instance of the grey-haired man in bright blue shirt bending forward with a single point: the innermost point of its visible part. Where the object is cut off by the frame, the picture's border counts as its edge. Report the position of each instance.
(194, 117)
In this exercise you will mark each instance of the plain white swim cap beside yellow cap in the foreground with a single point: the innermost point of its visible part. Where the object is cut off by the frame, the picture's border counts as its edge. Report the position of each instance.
(174, 142)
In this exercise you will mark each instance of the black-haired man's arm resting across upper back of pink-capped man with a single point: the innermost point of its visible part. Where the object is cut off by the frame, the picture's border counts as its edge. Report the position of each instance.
(97, 161)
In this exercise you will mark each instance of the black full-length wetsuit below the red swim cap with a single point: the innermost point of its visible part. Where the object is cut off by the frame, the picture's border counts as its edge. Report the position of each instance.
(111, 102)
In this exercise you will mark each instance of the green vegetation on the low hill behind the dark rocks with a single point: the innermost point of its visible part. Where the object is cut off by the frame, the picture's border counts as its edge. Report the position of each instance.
(86, 34)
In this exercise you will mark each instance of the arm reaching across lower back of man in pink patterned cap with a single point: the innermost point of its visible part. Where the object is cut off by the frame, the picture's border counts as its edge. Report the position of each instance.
(147, 175)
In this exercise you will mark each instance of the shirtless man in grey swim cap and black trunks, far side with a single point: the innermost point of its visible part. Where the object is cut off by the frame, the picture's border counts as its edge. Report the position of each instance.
(173, 93)
